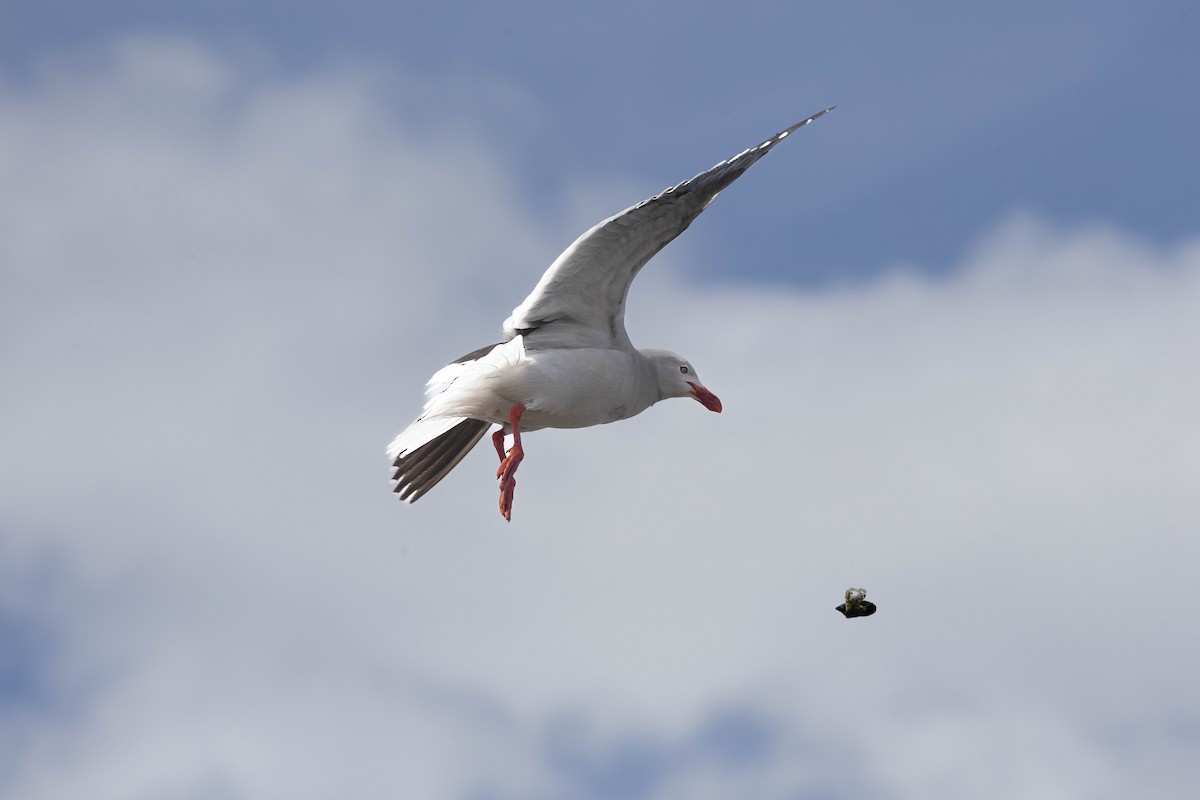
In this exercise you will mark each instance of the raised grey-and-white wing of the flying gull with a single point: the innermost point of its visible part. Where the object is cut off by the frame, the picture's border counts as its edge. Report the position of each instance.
(580, 302)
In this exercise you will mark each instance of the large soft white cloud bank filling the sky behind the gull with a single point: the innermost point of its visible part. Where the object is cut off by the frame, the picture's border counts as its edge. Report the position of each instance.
(224, 292)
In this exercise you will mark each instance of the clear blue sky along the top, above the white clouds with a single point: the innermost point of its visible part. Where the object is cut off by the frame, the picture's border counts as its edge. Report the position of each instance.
(950, 116)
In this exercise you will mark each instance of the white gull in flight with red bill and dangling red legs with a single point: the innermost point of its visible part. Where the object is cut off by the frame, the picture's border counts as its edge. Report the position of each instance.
(567, 360)
